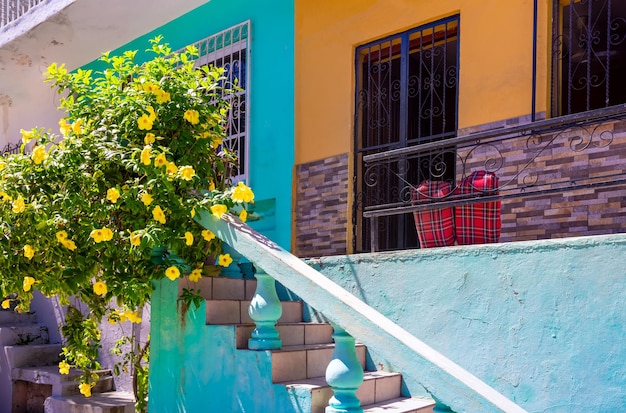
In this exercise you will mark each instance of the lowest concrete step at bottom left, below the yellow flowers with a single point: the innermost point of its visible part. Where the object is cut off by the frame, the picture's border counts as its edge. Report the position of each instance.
(110, 402)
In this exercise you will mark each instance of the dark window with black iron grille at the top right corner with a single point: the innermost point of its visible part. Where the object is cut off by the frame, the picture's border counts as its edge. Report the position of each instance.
(588, 55)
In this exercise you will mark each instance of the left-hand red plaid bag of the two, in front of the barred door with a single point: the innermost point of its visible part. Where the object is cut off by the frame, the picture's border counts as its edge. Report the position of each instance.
(435, 227)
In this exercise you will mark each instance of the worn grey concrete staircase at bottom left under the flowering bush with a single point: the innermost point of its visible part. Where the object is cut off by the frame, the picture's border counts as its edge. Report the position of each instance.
(31, 378)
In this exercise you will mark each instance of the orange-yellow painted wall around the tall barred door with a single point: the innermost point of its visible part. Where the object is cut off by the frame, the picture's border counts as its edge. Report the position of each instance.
(495, 68)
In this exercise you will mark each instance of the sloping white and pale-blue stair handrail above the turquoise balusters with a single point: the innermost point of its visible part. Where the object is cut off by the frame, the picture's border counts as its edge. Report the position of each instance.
(446, 381)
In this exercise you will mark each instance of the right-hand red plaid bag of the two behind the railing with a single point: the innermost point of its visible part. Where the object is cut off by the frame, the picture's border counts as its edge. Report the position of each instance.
(478, 223)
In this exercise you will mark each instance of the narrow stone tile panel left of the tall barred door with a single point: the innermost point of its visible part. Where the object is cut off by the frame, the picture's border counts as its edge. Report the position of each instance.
(321, 206)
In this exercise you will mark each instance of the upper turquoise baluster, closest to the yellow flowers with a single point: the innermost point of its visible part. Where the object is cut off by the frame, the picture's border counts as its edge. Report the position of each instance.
(265, 310)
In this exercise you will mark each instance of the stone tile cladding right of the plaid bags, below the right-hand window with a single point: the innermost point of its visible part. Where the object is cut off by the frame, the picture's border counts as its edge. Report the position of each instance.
(575, 154)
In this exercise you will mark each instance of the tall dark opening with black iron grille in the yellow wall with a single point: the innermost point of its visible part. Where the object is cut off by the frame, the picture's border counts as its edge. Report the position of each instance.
(407, 94)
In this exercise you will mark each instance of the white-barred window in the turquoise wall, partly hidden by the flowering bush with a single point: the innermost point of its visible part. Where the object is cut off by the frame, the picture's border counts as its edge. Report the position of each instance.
(229, 49)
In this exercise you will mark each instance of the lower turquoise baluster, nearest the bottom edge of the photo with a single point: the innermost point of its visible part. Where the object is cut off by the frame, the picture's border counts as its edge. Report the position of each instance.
(344, 374)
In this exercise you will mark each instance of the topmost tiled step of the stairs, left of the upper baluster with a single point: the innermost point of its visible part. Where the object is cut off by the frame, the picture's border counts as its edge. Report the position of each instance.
(221, 288)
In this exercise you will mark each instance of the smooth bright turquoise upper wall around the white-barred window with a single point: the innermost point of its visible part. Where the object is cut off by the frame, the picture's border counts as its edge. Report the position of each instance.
(271, 93)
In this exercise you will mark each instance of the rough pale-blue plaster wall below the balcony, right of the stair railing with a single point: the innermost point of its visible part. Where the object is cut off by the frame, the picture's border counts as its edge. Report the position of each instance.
(542, 322)
